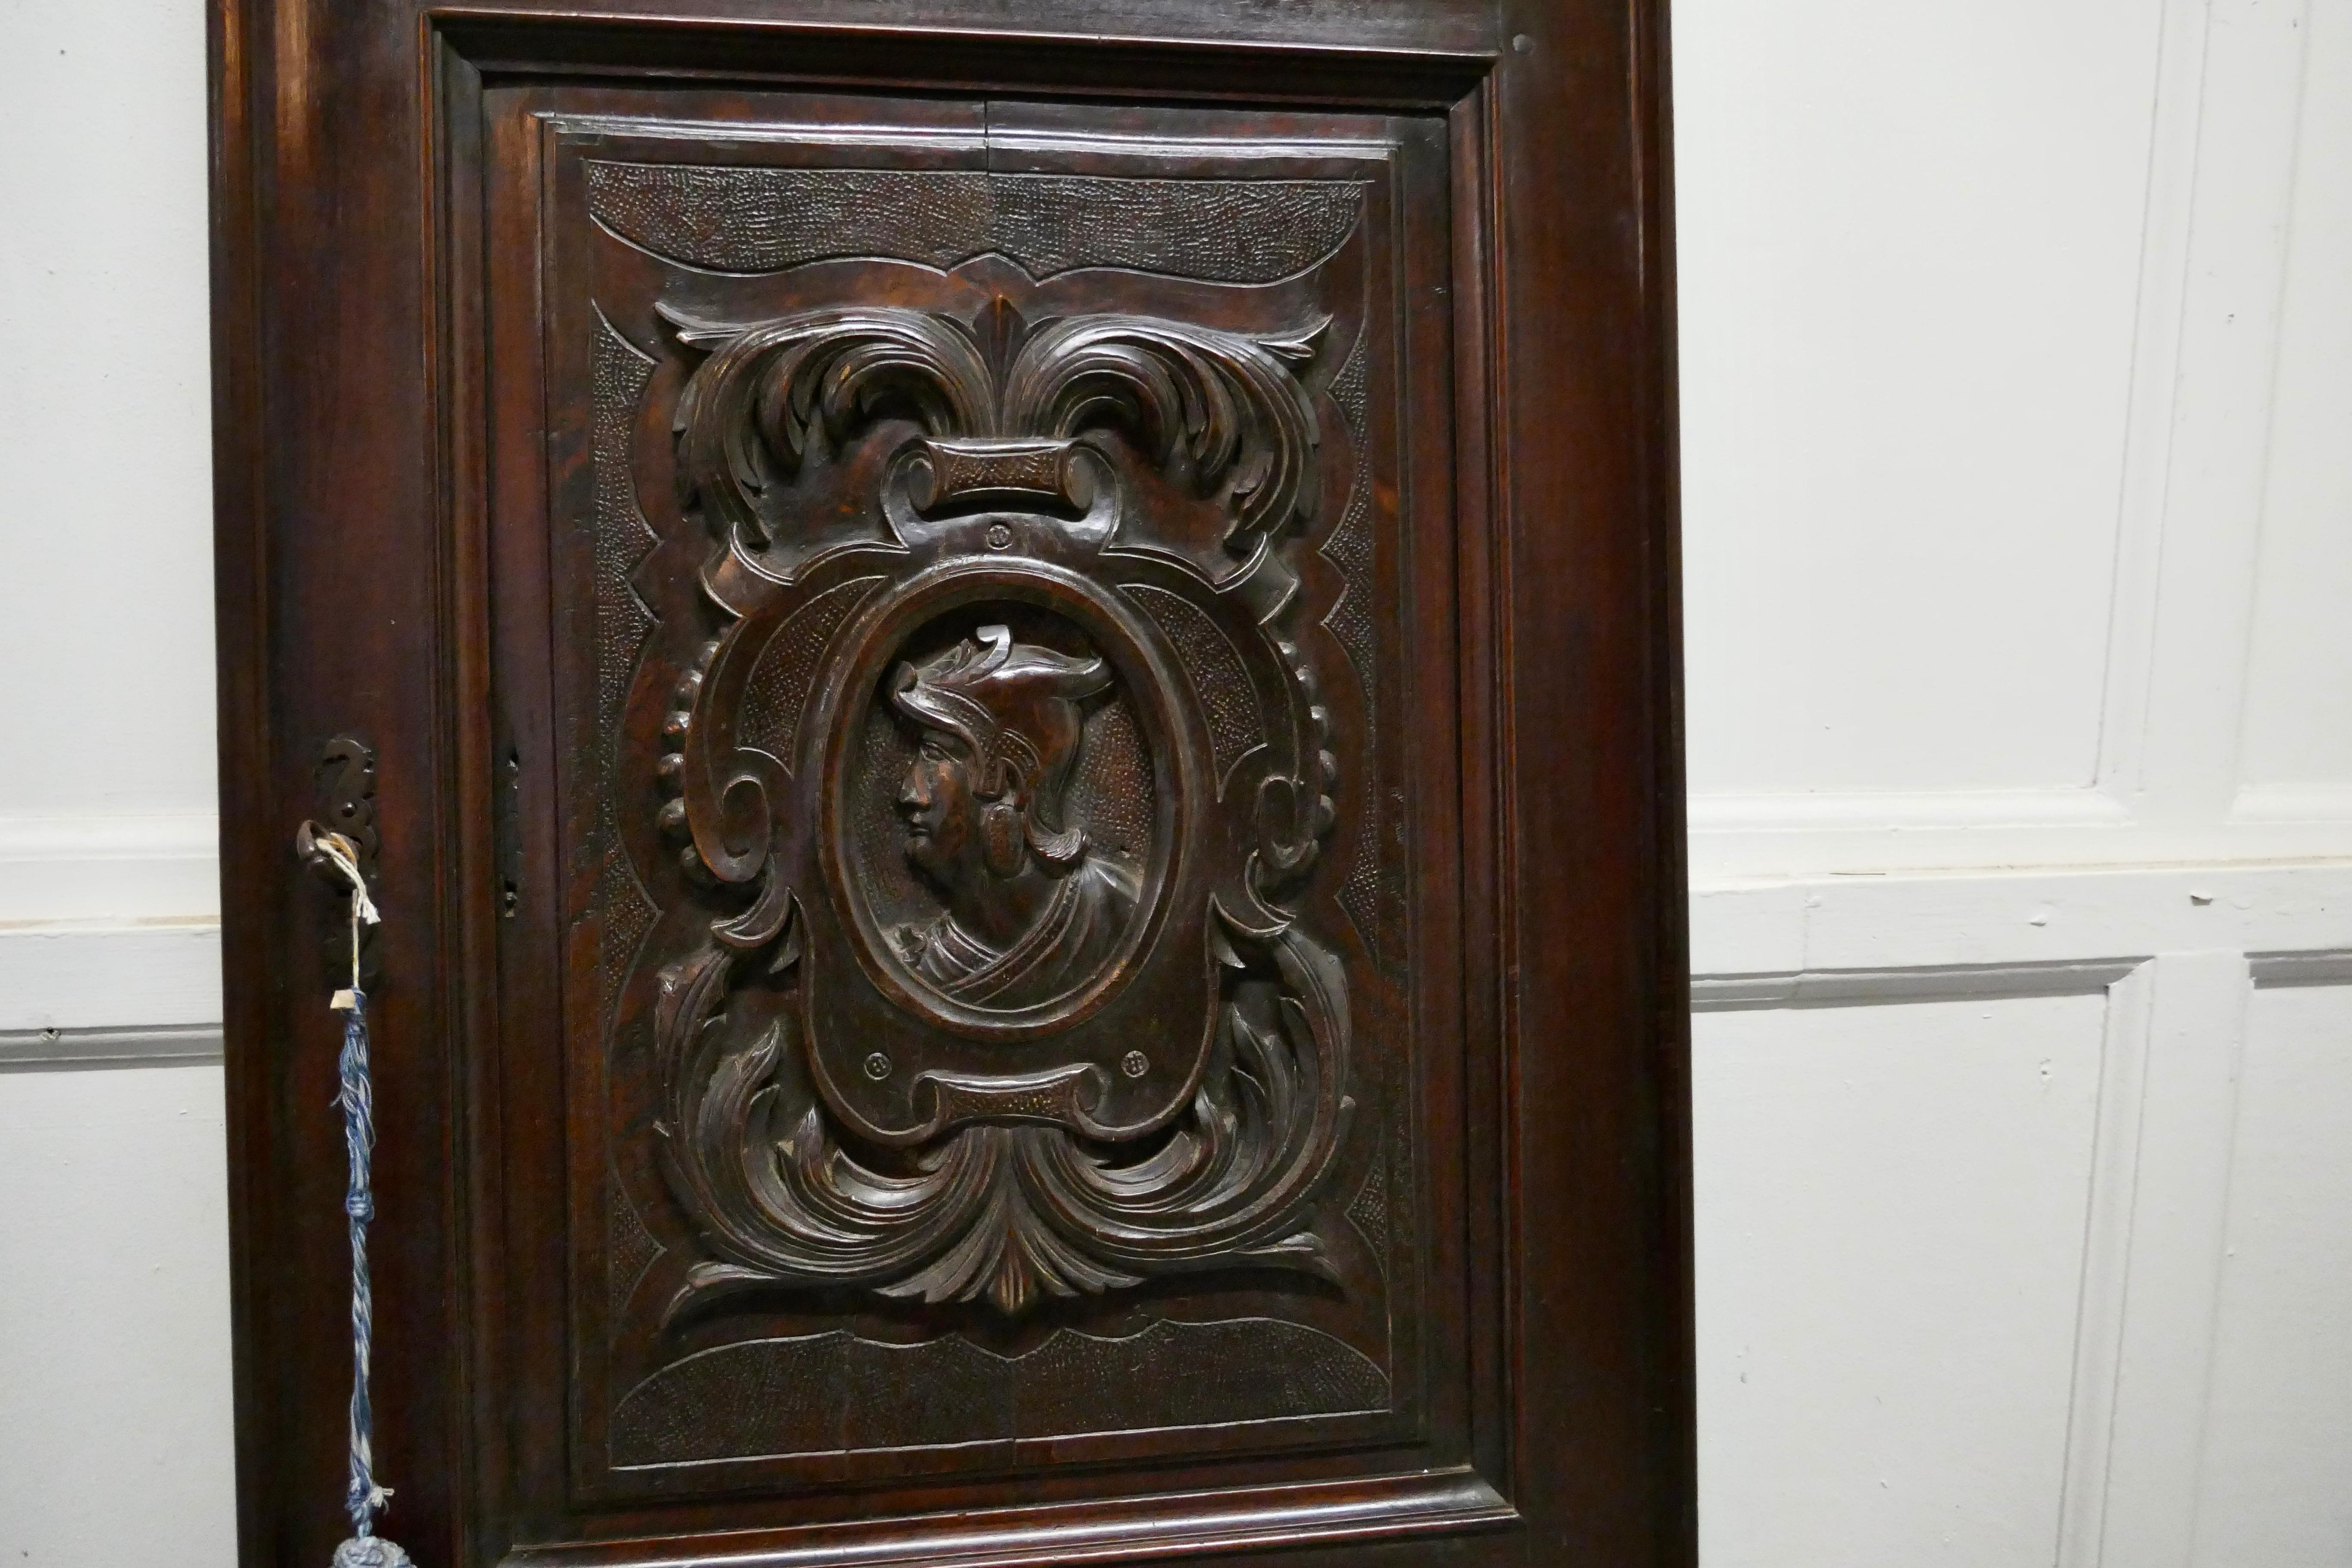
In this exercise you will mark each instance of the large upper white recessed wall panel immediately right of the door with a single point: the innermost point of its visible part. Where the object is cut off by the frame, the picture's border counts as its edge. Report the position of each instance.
(1911, 250)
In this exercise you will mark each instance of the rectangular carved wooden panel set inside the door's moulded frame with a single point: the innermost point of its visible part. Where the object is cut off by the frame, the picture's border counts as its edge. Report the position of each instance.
(977, 789)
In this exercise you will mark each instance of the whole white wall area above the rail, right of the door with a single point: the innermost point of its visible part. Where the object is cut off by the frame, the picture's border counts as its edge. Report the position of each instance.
(2014, 401)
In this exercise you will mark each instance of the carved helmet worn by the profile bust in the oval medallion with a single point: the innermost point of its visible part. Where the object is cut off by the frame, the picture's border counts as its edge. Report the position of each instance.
(1015, 706)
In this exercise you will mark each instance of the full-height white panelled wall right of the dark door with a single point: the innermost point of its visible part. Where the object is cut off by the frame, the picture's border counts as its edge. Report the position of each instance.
(2017, 389)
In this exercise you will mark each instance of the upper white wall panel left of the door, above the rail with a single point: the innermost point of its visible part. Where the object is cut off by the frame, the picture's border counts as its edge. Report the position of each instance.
(107, 476)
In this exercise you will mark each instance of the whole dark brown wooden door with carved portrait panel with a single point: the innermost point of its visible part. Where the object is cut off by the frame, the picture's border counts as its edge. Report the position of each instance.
(1020, 674)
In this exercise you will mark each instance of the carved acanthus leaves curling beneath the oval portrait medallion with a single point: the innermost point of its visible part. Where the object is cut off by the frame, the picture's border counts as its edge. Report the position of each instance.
(1013, 1212)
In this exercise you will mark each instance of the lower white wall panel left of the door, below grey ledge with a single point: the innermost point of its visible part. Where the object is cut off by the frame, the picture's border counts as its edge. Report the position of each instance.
(114, 1320)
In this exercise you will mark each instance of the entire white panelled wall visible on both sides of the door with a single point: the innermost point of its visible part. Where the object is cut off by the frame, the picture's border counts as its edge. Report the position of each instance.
(2019, 530)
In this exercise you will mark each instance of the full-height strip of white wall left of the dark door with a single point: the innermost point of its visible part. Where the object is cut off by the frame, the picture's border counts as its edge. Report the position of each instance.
(114, 1228)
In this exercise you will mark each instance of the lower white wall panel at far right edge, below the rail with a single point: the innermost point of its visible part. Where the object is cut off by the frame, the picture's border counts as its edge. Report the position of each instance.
(2278, 1459)
